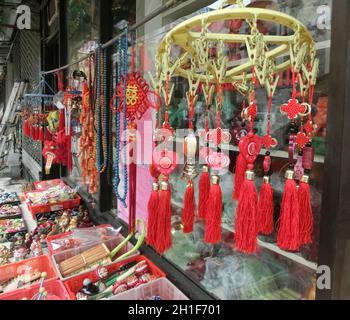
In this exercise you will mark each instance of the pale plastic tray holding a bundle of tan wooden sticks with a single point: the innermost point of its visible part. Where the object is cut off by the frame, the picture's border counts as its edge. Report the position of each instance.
(111, 244)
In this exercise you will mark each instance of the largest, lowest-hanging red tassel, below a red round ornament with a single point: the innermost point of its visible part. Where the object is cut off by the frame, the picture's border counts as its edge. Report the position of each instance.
(246, 227)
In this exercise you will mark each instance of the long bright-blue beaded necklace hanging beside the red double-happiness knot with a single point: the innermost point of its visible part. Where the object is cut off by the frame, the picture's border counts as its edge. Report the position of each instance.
(122, 75)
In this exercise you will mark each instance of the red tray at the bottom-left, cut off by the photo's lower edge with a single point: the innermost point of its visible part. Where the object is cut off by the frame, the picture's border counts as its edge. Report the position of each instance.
(55, 289)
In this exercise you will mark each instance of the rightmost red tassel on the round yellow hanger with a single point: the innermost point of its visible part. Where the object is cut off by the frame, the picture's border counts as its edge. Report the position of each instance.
(306, 216)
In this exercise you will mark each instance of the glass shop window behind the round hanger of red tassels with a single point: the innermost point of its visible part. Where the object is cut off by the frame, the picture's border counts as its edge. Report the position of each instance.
(272, 273)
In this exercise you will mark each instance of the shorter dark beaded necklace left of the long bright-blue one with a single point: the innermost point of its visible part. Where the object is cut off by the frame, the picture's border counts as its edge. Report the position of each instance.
(101, 108)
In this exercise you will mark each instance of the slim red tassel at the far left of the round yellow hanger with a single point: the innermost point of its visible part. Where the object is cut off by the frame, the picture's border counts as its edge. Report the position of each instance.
(152, 215)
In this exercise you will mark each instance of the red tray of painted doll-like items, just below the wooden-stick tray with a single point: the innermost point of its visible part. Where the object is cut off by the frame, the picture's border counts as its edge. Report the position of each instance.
(75, 284)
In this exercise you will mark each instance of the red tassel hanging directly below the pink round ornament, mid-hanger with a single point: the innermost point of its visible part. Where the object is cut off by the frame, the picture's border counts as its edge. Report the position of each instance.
(214, 213)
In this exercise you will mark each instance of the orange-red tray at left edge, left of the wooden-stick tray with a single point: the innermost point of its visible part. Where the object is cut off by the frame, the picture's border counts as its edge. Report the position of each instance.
(39, 264)
